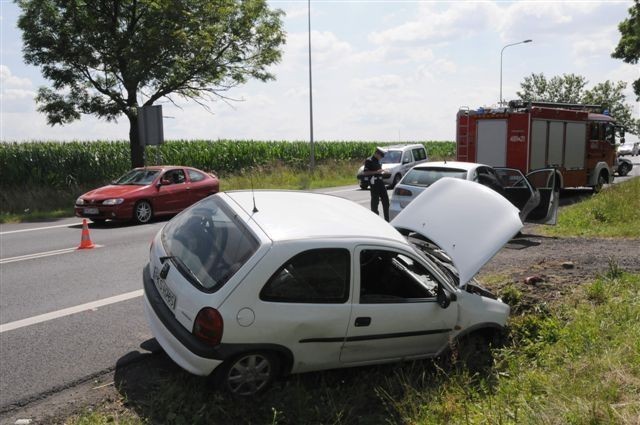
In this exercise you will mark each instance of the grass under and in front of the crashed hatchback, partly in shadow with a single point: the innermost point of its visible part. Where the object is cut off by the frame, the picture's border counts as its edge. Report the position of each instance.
(577, 362)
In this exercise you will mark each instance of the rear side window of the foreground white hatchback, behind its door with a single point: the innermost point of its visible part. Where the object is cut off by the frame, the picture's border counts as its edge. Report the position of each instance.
(318, 276)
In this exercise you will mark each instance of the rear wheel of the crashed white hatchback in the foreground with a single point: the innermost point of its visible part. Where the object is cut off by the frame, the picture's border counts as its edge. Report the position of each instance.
(248, 374)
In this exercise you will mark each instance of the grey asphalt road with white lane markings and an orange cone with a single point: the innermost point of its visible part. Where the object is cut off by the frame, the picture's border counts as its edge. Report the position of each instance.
(67, 315)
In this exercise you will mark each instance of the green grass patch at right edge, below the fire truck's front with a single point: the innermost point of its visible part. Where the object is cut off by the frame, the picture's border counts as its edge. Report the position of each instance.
(614, 212)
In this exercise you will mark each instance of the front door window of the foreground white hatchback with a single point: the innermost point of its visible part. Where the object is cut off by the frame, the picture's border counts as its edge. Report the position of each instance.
(391, 277)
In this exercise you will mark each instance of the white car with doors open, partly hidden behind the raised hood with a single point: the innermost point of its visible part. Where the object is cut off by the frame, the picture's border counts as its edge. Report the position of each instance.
(535, 195)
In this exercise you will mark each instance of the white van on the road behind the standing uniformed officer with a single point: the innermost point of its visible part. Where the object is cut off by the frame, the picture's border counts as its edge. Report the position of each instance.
(397, 160)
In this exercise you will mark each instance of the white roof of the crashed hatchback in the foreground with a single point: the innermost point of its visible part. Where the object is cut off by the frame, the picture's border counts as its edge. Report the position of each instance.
(288, 215)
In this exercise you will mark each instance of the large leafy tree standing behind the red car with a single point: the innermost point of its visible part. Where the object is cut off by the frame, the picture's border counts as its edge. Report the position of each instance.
(108, 57)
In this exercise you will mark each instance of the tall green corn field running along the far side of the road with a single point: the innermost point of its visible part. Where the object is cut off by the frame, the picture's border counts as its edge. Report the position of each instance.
(69, 164)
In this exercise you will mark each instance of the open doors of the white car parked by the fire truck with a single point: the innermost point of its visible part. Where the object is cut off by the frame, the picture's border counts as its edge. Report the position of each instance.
(536, 196)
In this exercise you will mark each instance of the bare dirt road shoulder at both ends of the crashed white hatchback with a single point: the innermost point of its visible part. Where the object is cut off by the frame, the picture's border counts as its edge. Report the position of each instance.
(543, 269)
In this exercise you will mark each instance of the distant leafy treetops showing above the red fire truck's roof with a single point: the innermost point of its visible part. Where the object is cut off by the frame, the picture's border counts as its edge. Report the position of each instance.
(570, 88)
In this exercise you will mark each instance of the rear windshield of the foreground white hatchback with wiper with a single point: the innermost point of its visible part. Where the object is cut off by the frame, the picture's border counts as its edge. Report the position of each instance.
(208, 243)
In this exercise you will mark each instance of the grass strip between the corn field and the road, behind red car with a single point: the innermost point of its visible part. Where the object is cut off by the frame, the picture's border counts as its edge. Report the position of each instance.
(23, 204)
